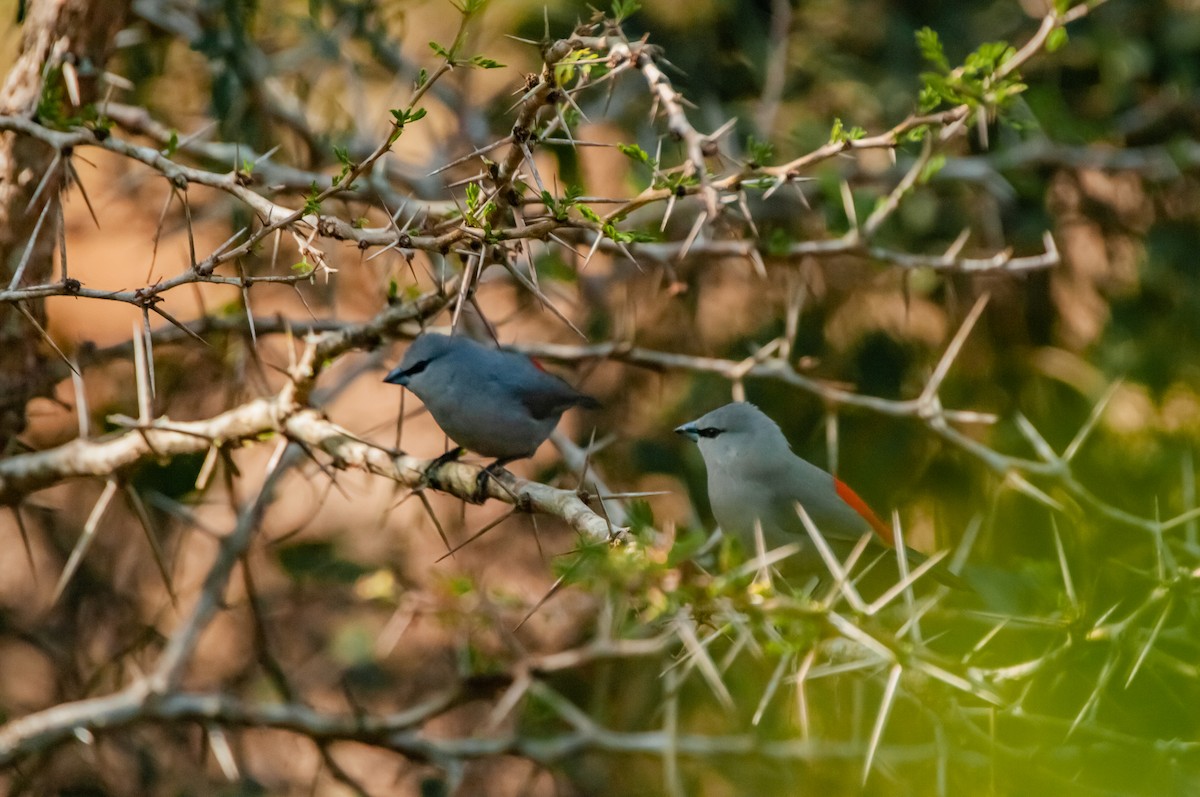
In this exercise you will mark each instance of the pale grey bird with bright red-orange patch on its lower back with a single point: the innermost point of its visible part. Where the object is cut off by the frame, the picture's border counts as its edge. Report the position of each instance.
(754, 476)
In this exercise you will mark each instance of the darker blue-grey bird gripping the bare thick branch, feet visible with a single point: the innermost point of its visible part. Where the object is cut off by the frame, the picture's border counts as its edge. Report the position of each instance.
(494, 403)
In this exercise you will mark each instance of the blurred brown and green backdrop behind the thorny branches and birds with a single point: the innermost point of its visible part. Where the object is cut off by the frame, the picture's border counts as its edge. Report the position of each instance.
(1096, 673)
